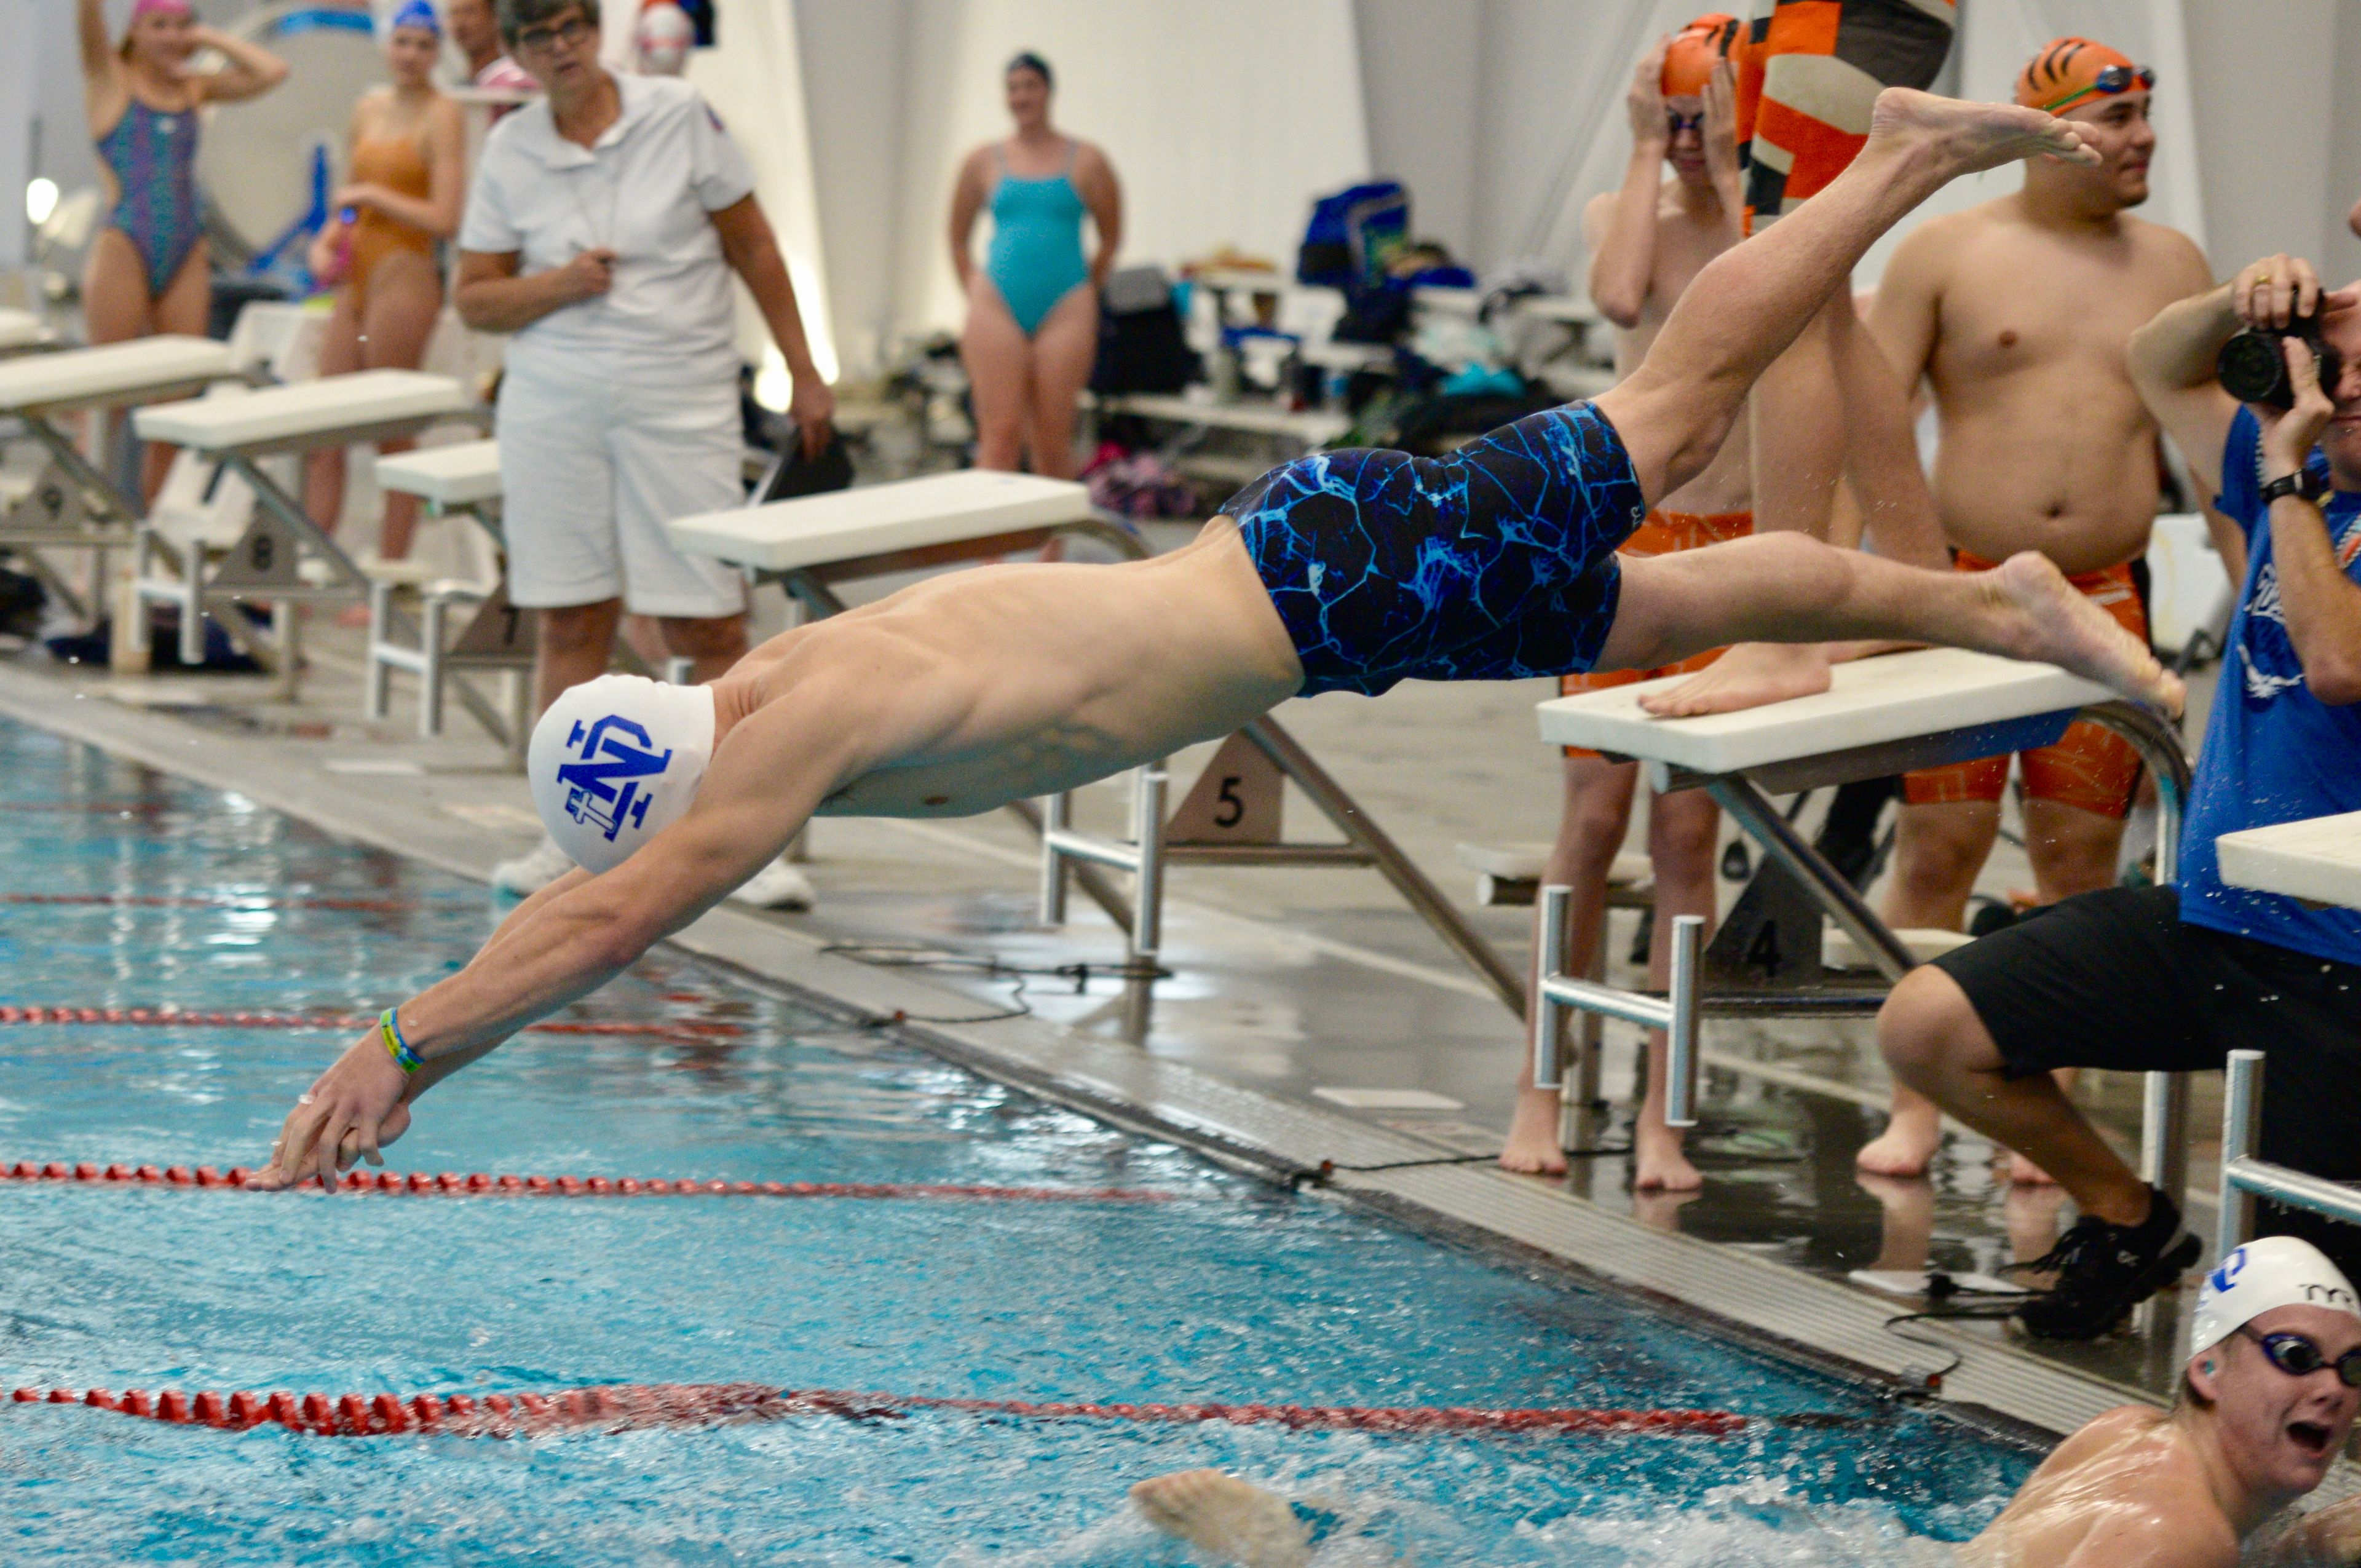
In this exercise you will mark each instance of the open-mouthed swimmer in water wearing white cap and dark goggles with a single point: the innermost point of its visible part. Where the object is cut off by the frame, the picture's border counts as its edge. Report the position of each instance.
(2265, 1406)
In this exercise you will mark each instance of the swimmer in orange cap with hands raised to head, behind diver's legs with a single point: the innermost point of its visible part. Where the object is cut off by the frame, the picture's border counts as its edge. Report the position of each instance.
(1649, 240)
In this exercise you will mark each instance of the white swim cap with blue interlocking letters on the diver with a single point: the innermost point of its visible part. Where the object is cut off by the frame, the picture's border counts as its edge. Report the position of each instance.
(615, 762)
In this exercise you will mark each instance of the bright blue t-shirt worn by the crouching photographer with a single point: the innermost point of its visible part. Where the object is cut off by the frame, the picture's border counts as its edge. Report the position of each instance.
(2272, 752)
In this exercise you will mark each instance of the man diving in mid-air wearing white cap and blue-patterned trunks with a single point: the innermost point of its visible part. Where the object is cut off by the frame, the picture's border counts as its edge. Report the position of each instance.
(1335, 573)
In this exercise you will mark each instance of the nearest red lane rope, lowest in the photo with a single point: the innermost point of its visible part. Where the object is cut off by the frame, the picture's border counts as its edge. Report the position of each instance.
(639, 1406)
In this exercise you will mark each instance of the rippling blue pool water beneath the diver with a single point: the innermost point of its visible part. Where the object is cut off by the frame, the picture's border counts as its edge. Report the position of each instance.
(1229, 1291)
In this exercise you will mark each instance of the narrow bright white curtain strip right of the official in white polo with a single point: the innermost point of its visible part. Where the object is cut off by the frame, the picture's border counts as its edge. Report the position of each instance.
(754, 84)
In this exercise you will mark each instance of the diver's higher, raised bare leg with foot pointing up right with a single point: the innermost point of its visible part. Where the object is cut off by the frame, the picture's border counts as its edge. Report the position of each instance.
(1753, 301)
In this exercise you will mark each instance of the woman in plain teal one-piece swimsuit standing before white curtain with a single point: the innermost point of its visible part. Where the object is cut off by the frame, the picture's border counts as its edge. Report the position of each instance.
(1033, 306)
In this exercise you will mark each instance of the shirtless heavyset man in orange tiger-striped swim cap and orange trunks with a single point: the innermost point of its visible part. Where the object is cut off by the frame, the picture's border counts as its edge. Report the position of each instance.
(2015, 311)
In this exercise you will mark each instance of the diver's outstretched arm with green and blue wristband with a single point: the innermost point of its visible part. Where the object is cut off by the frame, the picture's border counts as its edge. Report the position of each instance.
(769, 776)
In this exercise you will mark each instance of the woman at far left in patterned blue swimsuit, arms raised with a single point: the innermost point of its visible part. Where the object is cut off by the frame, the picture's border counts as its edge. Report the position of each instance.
(148, 268)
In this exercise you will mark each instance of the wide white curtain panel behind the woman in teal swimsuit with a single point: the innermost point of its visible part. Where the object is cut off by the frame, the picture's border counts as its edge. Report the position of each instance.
(1224, 119)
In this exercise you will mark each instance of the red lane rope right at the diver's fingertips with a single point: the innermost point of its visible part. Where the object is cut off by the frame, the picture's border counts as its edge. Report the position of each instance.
(480, 1184)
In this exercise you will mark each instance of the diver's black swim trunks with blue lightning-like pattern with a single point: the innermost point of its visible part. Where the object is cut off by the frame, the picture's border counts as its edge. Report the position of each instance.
(1493, 563)
